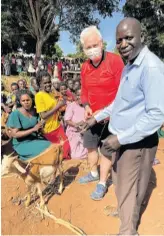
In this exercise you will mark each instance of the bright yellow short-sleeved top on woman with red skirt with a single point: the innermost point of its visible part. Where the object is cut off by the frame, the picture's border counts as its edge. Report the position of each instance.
(45, 102)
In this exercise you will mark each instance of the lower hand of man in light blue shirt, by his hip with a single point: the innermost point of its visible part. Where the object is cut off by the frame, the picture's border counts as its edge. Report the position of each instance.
(111, 142)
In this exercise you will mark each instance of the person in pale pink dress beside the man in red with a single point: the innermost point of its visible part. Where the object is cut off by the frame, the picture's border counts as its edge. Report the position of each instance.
(73, 115)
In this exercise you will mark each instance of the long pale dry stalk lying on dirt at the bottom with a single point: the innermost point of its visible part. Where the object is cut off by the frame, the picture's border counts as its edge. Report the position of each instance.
(73, 228)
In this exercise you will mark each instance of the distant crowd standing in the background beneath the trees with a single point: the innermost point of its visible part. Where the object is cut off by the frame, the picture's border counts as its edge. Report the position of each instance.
(15, 64)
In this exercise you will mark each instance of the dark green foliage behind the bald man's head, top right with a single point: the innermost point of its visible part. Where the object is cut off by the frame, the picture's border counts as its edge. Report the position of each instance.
(151, 14)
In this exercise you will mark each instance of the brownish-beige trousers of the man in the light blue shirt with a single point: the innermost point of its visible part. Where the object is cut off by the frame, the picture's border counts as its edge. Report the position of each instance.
(131, 171)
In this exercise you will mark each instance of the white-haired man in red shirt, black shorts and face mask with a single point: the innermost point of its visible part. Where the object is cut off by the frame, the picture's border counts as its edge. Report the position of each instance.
(100, 79)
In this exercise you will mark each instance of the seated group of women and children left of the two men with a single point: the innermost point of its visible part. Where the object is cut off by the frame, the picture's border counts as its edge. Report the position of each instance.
(42, 113)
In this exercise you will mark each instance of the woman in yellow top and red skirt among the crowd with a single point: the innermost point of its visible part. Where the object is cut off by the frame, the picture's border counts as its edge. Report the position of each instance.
(48, 108)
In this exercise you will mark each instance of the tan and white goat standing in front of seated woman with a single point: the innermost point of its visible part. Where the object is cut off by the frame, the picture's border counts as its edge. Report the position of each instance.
(38, 170)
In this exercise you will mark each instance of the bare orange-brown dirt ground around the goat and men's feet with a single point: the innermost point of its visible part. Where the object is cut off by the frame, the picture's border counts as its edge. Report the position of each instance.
(75, 205)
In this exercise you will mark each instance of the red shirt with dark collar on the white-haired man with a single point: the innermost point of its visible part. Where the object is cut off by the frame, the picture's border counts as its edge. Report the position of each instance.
(99, 84)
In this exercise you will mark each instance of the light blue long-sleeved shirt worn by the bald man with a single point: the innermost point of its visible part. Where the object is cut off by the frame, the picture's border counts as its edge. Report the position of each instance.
(138, 109)
